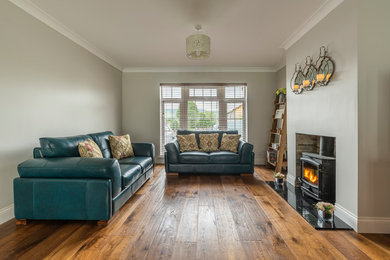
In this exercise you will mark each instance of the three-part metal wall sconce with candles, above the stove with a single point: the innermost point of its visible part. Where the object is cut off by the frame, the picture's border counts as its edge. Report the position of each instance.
(313, 75)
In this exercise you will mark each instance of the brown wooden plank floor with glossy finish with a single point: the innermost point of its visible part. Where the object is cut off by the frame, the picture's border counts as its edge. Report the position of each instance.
(193, 217)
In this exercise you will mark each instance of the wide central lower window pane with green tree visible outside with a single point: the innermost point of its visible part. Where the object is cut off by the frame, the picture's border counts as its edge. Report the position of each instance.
(203, 115)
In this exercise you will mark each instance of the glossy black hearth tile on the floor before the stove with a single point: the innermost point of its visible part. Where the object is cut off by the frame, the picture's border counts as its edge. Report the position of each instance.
(304, 205)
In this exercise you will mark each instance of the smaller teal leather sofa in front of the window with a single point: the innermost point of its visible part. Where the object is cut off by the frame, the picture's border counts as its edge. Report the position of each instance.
(220, 162)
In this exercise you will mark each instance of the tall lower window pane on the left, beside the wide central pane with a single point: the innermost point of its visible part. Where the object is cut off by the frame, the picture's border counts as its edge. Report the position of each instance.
(171, 121)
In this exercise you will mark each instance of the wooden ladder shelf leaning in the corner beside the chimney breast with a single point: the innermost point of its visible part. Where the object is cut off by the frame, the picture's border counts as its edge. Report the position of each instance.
(278, 136)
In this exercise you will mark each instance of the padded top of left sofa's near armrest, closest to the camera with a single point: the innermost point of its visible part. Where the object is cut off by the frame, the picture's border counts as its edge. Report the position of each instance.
(73, 168)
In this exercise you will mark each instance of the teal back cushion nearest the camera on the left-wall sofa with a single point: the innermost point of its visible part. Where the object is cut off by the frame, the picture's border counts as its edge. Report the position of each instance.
(61, 146)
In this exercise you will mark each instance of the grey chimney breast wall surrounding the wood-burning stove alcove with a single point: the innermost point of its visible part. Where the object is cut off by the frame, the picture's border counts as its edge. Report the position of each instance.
(331, 110)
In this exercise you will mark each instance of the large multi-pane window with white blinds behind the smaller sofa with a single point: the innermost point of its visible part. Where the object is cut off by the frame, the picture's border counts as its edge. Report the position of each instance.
(202, 107)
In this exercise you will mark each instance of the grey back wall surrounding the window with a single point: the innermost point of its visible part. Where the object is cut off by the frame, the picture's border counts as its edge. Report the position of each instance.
(141, 105)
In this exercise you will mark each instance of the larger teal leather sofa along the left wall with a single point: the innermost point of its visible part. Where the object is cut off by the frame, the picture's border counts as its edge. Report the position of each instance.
(59, 184)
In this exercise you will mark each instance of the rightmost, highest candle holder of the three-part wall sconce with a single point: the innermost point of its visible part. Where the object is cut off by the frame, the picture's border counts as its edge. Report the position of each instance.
(325, 67)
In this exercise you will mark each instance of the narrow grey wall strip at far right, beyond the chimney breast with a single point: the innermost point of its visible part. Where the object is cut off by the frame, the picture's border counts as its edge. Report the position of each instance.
(374, 116)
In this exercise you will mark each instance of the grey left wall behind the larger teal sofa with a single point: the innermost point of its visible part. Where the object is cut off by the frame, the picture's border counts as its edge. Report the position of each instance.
(49, 86)
